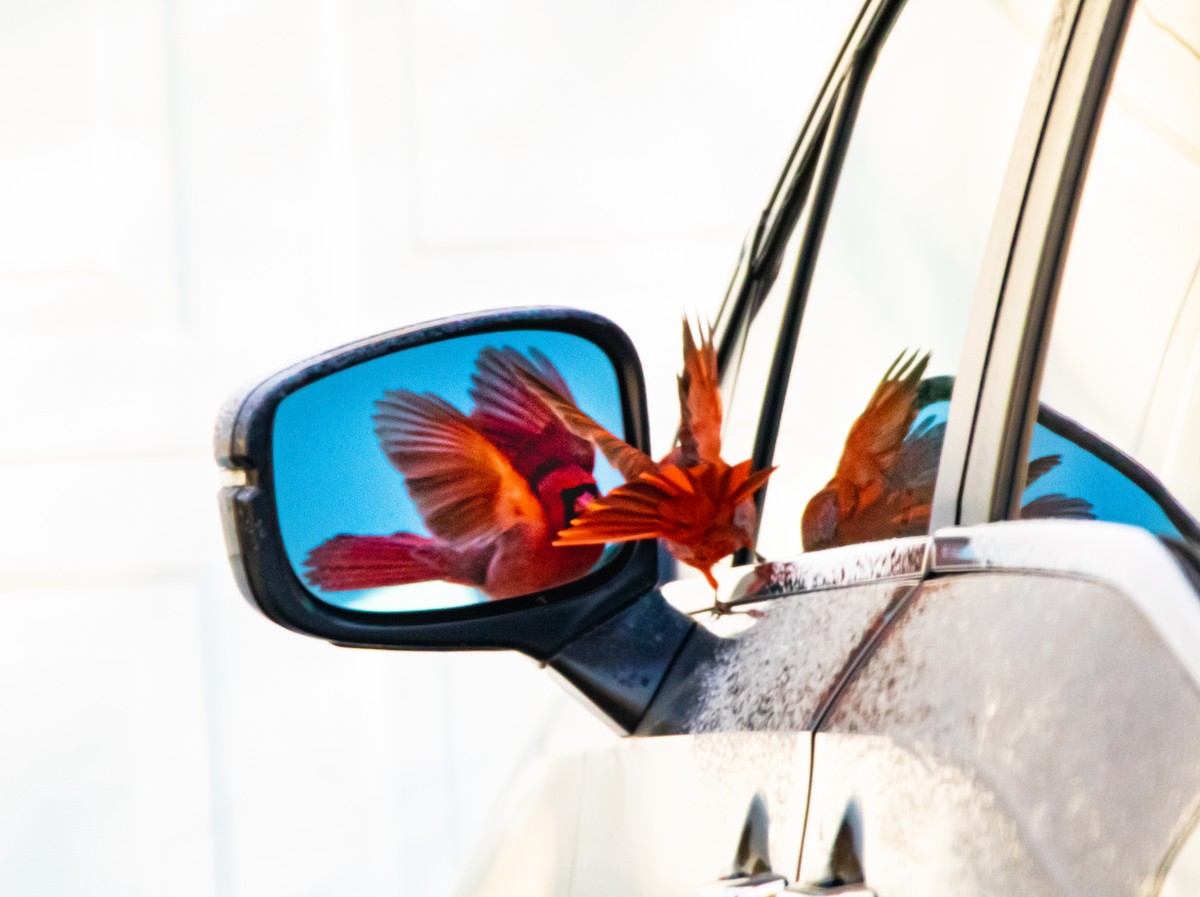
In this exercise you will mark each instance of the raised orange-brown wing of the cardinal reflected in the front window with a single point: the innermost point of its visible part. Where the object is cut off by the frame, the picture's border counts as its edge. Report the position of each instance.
(878, 435)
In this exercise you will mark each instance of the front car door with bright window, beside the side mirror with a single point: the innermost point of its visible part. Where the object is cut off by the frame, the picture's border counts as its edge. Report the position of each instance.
(897, 194)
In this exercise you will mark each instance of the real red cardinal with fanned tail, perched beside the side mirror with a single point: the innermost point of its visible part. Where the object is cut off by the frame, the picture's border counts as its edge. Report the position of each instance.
(699, 505)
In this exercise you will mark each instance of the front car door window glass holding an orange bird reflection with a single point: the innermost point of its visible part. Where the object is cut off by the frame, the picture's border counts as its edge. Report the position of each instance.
(896, 276)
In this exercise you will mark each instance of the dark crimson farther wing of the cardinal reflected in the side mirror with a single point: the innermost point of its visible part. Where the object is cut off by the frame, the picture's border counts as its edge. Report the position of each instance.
(514, 418)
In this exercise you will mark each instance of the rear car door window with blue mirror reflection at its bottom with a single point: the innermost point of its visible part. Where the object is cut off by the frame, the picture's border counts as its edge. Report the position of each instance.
(1123, 368)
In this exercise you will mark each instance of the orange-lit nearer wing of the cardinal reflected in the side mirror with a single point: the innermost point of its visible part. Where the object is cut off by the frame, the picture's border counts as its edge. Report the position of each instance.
(463, 486)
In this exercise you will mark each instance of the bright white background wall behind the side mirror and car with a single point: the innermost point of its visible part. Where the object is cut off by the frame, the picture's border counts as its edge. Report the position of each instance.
(196, 192)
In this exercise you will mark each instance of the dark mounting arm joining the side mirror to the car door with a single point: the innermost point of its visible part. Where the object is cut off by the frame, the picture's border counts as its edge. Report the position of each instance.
(620, 665)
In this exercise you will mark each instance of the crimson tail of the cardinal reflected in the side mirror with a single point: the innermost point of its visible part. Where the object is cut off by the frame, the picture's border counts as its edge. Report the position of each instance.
(345, 563)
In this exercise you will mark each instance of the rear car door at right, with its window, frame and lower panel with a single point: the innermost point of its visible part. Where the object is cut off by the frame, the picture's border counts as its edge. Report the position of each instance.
(1030, 723)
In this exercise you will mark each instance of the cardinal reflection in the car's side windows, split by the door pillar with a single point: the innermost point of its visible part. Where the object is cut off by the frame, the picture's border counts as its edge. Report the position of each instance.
(884, 486)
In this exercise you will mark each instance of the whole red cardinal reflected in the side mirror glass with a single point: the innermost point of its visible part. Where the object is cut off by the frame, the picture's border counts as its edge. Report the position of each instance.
(494, 489)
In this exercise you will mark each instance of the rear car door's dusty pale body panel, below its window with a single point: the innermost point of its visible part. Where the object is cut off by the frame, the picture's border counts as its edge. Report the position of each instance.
(1030, 724)
